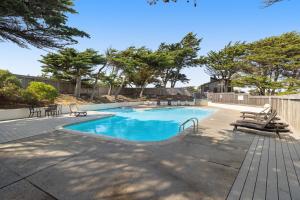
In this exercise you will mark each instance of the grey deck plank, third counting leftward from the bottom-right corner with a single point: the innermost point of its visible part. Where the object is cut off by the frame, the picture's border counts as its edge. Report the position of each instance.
(272, 192)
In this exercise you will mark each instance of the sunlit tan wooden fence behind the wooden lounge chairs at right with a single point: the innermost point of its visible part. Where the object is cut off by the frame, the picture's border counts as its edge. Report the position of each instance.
(288, 107)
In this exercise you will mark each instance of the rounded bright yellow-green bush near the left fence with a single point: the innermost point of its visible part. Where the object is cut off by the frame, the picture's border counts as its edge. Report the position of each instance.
(42, 91)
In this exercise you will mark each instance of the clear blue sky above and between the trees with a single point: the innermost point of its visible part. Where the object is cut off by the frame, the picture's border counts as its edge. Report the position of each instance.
(122, 23)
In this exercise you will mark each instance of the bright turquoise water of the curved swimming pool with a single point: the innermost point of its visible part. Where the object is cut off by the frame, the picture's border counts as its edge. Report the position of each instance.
(141, 125)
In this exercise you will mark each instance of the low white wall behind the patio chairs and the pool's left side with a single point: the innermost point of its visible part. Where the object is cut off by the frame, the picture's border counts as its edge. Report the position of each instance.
(9, 114)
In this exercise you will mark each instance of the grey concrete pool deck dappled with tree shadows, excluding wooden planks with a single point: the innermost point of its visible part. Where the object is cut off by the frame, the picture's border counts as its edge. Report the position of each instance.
(59, 165)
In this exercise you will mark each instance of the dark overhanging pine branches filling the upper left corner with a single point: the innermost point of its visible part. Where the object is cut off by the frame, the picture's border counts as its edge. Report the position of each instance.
(41, 23)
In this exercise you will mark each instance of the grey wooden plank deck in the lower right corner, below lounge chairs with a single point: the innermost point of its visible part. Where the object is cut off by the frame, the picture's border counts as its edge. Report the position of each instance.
(271, 170)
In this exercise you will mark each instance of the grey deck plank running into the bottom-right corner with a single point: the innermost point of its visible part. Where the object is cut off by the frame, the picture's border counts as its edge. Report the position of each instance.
(291, 173)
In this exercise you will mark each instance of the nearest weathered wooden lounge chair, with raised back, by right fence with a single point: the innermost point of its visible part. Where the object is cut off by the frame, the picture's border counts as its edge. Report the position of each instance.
(264, 125)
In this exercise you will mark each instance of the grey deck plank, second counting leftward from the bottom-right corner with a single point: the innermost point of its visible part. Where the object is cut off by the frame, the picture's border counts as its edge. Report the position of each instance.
(283, 186)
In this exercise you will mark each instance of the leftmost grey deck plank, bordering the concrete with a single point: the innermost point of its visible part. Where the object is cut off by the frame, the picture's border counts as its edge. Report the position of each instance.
(238, 185)
